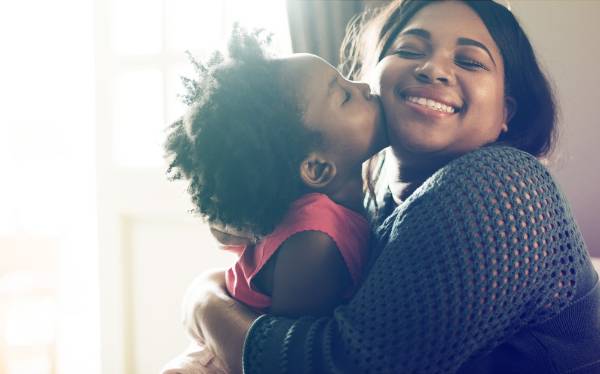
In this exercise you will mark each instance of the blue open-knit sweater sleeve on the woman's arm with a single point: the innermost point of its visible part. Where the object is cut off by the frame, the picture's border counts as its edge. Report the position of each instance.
(484, 248)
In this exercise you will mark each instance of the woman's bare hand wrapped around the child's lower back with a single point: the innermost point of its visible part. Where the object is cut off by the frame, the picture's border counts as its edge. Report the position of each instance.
(211, 315)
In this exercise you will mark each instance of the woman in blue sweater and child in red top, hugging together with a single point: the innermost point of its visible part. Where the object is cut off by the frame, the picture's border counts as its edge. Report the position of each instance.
(466, 259)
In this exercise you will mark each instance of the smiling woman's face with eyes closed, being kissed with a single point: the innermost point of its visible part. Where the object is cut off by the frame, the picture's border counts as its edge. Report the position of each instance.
(442, 84)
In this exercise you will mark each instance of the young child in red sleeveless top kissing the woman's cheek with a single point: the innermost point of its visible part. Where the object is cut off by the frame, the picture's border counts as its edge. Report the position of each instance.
(274, 147)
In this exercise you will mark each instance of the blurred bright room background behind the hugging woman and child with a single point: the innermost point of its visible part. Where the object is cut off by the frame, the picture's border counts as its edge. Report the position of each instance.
(96, 247)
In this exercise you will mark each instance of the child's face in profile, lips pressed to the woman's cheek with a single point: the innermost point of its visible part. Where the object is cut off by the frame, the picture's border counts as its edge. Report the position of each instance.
(344, 112)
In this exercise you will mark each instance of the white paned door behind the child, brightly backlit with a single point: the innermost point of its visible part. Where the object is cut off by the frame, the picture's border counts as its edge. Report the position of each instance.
(150, 246)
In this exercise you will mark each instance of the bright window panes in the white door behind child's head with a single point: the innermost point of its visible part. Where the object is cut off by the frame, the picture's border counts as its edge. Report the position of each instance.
(145, 58)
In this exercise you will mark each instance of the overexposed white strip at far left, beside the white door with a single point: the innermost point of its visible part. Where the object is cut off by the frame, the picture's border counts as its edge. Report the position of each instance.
(49, 319)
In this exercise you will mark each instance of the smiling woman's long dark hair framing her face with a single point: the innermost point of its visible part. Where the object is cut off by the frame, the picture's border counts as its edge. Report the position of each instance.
(533, 127)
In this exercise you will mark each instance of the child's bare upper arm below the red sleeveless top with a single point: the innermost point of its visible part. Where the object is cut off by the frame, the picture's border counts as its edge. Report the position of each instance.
(308, 276)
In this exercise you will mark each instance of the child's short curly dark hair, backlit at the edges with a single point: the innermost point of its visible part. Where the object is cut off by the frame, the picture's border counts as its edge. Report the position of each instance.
(243, 140)
